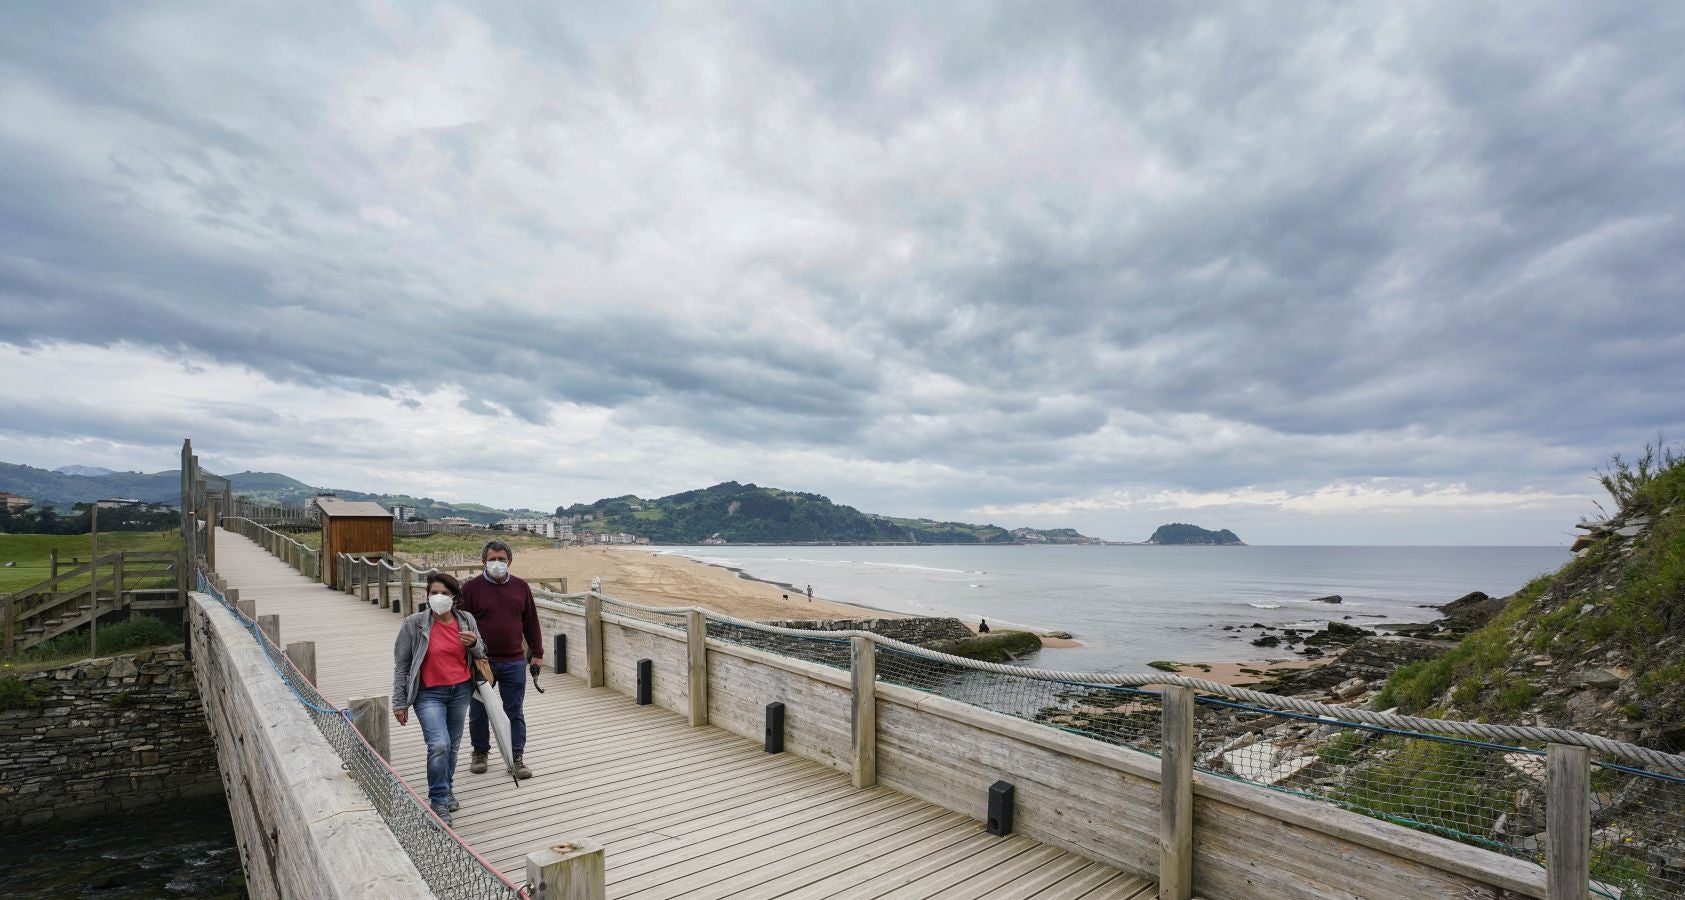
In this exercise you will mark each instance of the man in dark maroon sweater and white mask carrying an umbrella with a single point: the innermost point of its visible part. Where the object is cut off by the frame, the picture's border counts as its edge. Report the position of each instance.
(503, 606)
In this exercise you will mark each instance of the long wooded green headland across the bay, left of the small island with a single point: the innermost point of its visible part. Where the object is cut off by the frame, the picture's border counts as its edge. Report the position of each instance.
(747, 513)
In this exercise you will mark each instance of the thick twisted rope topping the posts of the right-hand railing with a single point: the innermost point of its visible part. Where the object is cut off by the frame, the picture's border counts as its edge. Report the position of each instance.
(1480, 731)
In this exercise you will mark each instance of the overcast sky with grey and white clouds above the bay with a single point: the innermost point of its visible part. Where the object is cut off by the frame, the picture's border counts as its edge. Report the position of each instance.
(1319, 274)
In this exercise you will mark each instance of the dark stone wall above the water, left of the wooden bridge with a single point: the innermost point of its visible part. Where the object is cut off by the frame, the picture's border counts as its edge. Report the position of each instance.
(105, 736)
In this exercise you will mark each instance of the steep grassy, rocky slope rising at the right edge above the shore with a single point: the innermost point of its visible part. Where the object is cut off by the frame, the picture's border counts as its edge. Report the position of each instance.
(1595, 646)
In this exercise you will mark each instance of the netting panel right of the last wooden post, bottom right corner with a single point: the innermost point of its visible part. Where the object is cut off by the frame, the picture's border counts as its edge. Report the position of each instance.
(1639, 833)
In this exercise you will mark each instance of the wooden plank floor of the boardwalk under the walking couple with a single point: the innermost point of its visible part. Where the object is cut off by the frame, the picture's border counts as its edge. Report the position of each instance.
(682, 813)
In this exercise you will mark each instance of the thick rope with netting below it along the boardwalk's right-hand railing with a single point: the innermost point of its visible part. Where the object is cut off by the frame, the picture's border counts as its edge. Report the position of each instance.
(1482, 785)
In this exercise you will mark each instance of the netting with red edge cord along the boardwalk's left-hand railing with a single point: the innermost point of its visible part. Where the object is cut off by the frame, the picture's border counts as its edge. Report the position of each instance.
(449, 869)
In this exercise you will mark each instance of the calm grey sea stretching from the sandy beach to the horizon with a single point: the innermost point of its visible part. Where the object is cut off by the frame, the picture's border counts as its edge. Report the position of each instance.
(1137, 604)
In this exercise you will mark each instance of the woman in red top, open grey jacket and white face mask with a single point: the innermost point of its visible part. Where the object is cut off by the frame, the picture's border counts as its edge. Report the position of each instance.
(432, 673)
